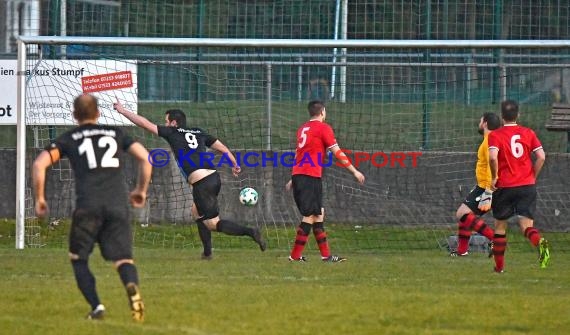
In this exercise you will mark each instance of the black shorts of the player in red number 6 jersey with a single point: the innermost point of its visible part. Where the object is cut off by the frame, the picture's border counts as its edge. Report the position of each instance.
(510, 201)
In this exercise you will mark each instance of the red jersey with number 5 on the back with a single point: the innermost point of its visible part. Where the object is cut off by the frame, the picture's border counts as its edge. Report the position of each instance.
(314, 138)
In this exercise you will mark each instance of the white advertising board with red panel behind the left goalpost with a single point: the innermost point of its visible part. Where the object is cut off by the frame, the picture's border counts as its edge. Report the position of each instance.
(52, 85)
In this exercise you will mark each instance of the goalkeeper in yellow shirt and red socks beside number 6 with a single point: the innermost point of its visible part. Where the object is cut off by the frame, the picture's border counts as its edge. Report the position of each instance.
(478, 202)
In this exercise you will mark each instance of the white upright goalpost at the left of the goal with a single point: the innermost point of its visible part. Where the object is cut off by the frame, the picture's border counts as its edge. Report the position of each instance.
(21, 148)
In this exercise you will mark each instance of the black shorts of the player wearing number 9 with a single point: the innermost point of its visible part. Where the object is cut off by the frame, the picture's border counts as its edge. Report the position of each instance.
(205, 193)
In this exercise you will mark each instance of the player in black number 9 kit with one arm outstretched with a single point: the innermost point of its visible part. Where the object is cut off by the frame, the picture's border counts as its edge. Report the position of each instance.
(187, 145)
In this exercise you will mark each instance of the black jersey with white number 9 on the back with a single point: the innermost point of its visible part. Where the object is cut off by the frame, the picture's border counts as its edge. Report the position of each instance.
(187, 145)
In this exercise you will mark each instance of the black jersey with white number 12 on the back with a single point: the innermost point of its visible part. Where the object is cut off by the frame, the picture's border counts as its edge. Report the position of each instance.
(94, 152)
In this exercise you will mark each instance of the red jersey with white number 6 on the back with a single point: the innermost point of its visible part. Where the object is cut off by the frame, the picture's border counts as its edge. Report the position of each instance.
(515, 144)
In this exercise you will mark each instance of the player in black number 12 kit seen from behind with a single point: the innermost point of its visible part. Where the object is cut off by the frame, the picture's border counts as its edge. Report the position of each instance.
(101, 212)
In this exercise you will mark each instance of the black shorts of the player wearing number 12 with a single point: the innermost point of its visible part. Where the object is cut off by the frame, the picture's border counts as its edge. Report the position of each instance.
(107, 225)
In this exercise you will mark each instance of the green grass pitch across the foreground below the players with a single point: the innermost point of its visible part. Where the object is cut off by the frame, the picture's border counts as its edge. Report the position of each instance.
(244, 291)
